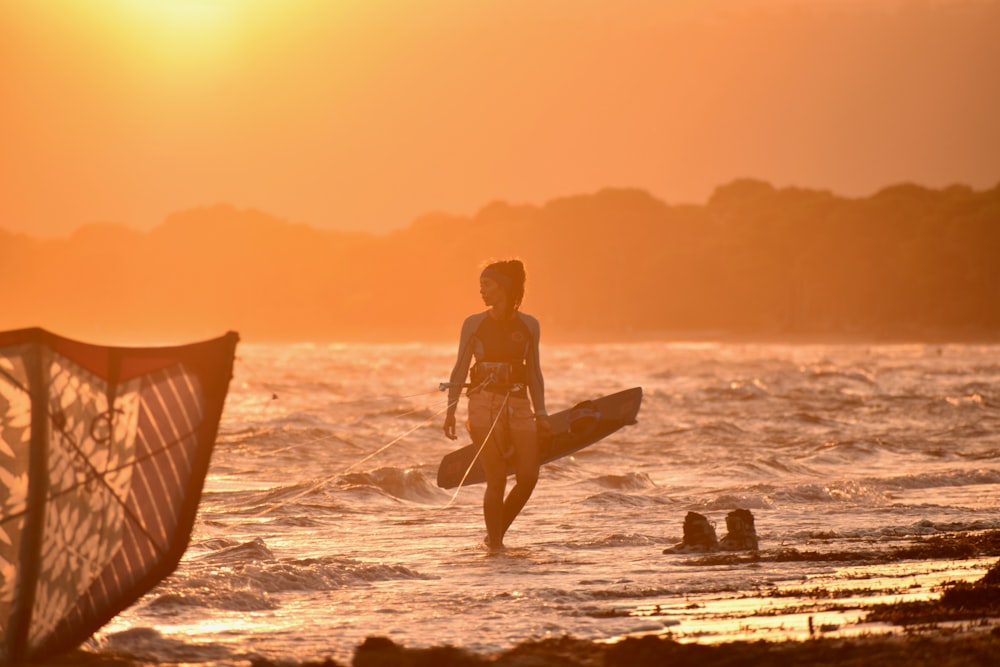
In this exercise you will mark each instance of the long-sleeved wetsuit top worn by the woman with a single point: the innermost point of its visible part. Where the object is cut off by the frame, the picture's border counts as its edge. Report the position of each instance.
(513, 341)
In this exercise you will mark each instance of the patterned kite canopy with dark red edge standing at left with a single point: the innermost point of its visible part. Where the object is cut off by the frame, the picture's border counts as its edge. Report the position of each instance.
(103, 454)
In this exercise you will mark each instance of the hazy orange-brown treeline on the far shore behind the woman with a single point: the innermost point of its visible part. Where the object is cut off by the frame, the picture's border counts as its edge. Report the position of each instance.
(754, 261)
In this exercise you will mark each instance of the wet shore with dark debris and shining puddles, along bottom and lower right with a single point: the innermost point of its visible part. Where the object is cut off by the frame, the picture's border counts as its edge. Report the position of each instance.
(937, 623)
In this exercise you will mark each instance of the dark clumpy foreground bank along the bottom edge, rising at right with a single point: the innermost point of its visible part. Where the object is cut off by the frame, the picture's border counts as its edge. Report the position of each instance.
(960, 627)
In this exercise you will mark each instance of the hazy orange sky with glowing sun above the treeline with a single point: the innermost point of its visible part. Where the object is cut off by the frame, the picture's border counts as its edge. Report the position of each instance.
(364, 114)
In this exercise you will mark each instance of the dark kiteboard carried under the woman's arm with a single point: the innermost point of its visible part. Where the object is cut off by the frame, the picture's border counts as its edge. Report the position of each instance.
(572, 430)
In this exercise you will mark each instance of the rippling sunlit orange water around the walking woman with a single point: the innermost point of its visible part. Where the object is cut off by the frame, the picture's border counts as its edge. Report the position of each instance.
(304, 546)
